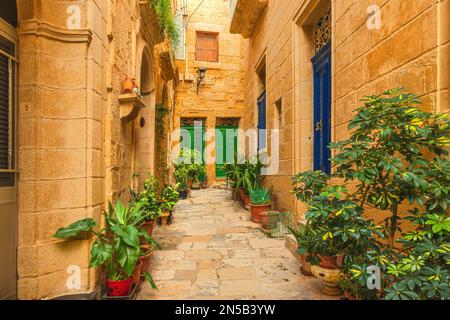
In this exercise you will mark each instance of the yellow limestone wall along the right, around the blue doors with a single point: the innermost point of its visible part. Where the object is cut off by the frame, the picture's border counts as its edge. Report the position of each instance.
(411, 49)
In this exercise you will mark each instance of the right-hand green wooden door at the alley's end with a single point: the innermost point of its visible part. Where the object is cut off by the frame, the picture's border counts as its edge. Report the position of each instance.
(226, 148)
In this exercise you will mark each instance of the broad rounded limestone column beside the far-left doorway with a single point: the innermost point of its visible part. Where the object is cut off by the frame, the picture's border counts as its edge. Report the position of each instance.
(61, 102)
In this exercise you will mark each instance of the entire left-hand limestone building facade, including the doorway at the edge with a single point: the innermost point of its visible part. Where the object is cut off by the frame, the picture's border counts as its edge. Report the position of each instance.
(73, 139)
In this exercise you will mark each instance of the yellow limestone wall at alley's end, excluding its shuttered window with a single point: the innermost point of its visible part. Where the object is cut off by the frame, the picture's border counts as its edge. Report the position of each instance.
(221, 93)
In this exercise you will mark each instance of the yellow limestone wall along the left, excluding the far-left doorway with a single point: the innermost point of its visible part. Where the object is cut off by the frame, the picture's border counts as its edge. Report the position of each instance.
(74, 152)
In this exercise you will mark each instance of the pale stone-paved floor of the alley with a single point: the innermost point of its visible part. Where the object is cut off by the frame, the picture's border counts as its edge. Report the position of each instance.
(214, 251)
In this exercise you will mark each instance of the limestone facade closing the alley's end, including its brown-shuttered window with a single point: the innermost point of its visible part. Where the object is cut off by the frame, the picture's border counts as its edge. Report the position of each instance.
(218, 100)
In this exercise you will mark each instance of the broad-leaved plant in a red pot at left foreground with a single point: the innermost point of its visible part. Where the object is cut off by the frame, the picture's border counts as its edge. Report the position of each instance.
(117, 247)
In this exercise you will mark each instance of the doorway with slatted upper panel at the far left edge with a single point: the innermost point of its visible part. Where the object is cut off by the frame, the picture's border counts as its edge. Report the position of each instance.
(8, 159)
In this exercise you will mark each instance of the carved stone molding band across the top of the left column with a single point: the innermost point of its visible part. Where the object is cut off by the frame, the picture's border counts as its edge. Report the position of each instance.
(38, 28)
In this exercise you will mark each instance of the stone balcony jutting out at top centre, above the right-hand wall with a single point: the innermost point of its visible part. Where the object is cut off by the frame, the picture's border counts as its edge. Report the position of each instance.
(245, 14)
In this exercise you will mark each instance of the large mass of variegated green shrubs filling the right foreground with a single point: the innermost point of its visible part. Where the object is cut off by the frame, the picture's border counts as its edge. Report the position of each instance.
(395, 155)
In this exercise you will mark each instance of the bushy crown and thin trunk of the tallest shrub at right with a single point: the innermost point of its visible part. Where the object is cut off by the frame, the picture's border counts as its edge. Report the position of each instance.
(387, 155)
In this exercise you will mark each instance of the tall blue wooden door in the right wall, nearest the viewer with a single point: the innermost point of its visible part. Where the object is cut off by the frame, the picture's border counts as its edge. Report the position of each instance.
(322, 109)
